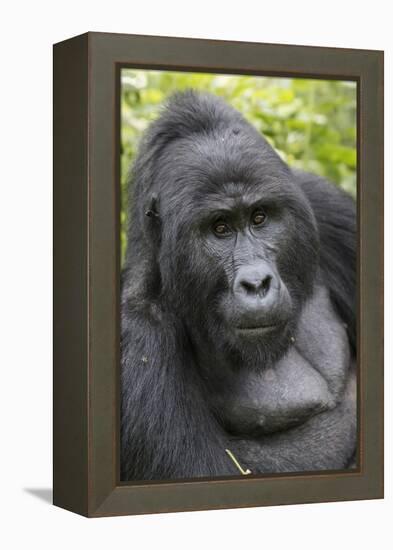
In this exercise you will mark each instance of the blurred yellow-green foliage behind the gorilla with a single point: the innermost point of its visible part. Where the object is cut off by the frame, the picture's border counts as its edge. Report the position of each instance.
(310, 123)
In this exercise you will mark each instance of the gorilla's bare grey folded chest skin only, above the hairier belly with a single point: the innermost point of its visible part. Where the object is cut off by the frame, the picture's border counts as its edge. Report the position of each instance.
(308, 380)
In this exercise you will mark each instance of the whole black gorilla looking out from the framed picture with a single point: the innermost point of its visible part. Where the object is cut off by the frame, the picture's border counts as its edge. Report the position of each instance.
(238, 321)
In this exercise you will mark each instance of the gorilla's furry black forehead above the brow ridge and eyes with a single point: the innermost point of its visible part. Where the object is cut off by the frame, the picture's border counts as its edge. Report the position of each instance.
(221, 167)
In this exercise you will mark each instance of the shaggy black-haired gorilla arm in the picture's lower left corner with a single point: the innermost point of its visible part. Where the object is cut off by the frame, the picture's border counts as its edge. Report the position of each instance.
(167, 430)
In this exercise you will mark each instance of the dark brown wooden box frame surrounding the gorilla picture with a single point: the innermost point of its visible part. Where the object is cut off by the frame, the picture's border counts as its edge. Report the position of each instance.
(86, 272)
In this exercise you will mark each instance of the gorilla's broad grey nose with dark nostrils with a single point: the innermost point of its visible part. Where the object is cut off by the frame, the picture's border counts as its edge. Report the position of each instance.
(254, 283)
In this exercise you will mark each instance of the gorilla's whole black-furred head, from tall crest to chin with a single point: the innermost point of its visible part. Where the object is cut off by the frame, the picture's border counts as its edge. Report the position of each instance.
(232, 236)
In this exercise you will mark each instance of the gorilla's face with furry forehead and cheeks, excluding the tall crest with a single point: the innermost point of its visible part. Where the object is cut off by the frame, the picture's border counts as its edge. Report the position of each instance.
(239, 236)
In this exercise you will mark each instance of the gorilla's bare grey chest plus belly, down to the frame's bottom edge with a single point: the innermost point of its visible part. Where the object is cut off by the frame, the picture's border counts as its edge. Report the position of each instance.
(299, 413)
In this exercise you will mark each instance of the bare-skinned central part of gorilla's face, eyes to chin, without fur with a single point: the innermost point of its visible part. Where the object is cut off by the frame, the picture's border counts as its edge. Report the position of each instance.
(247, 240)
